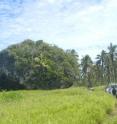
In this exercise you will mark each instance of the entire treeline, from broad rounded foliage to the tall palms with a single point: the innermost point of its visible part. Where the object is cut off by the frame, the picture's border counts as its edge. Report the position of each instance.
(38, 65)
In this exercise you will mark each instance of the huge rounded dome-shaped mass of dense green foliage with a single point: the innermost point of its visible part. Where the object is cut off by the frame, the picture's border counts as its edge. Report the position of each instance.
(38, 65)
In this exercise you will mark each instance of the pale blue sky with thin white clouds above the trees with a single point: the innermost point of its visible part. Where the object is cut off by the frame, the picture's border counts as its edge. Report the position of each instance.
(88, 26)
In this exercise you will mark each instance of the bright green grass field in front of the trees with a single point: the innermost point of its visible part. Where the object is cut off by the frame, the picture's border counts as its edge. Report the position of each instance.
(68, 106)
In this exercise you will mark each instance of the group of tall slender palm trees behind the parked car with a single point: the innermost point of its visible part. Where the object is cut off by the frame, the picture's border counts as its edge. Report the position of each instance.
(103, 71)
